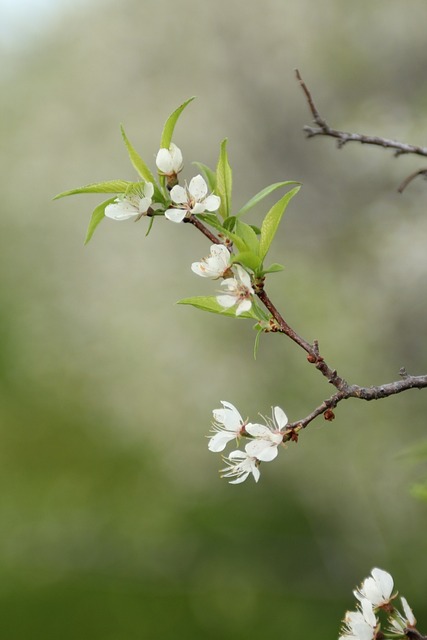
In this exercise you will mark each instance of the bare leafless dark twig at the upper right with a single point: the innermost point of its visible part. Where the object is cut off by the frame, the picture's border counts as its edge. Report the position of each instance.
(342, 137)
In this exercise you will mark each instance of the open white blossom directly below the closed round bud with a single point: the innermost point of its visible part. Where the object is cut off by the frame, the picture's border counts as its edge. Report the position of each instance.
(193, 199)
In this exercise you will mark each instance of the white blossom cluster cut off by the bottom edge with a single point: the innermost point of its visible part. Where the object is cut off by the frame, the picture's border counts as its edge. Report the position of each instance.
(375, 597)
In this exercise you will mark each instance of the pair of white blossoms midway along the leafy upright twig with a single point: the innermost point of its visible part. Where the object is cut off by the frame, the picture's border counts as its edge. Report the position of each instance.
(237, 287)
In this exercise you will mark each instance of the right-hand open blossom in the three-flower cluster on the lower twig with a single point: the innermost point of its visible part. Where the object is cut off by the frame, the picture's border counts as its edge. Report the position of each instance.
(267, 437)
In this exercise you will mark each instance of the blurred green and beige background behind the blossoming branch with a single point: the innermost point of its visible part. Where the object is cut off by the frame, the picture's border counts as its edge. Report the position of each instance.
(114, 523)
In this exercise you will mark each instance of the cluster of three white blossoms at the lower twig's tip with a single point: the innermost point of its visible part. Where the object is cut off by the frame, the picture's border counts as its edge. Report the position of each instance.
(264, 441)
